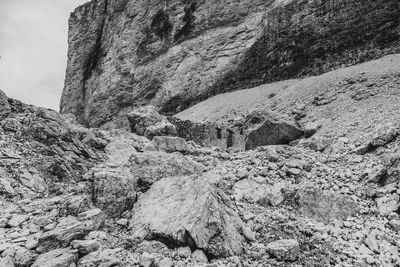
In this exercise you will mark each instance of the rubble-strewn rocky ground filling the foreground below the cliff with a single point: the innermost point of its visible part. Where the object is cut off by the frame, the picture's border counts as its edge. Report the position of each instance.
(72, 196)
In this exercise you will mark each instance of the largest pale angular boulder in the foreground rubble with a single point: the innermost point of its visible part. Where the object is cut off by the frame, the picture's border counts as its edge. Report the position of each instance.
(188, 211)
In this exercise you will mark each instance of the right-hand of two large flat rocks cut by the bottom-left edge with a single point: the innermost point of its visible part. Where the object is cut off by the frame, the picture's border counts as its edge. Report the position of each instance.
(105, 257)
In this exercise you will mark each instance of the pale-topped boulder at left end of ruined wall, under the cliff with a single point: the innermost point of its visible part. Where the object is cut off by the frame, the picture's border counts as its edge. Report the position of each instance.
(148, 122)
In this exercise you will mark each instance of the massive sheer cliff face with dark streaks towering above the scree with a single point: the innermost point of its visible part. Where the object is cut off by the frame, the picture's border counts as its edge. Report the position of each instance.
(172, 54)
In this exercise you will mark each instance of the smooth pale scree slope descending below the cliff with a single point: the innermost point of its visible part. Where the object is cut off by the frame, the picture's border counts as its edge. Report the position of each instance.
(347, 102)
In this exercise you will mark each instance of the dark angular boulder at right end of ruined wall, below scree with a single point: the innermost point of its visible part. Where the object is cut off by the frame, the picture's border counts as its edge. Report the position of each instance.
(272, 132)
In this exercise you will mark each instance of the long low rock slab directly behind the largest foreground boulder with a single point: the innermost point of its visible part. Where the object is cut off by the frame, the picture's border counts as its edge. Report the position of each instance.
(149, 167)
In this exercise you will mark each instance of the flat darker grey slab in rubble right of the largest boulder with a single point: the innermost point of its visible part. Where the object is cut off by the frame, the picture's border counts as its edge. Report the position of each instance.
(325, 206)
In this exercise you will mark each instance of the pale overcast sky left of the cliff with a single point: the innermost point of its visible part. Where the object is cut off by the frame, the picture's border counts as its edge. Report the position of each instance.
(33, 49)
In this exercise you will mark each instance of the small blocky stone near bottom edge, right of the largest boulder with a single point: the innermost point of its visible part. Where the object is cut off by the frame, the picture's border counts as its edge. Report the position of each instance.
(284, 250)
